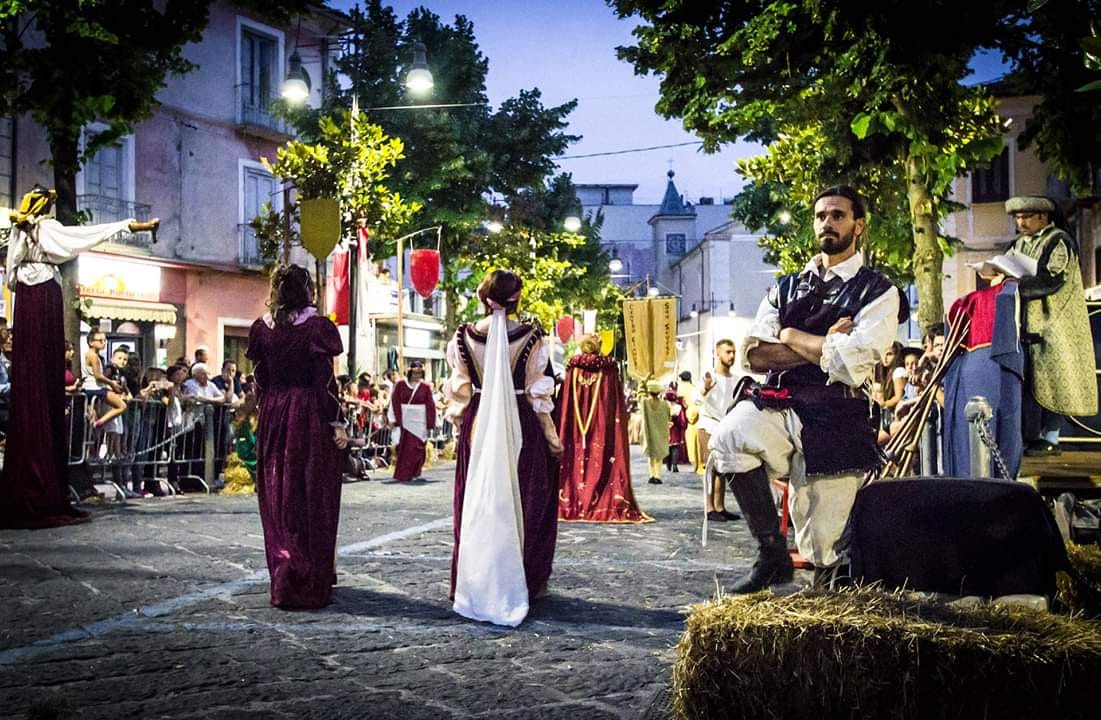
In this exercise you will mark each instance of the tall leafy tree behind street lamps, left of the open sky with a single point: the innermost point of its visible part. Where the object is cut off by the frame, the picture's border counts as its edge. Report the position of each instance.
(455, 158)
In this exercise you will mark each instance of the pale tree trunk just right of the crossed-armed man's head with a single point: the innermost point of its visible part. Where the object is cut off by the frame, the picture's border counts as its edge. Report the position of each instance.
(929, 259)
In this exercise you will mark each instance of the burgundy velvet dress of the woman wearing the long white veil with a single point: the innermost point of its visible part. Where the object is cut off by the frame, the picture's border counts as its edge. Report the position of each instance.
(539, 488)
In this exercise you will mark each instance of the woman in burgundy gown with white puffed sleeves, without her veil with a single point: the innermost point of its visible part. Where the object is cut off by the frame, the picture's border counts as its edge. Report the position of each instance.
(539, 488)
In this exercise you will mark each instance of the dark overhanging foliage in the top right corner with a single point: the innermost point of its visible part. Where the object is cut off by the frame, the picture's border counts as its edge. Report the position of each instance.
(1054, 58)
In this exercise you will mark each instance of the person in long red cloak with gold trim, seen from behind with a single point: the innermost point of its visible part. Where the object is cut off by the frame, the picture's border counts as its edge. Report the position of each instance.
(595, 482)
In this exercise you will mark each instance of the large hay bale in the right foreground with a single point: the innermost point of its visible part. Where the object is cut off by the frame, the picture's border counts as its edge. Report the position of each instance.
(865, 653)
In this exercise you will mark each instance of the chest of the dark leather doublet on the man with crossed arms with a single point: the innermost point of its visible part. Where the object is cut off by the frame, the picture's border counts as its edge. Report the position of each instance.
(809, 303)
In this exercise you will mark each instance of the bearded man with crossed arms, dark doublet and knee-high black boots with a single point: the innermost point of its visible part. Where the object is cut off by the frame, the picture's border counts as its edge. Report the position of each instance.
(819, 335)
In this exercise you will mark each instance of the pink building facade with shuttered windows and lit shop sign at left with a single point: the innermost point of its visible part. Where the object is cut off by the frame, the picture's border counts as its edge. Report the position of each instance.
(197, 166)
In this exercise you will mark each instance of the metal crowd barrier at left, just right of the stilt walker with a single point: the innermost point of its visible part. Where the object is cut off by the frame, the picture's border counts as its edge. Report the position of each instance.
(149, 449)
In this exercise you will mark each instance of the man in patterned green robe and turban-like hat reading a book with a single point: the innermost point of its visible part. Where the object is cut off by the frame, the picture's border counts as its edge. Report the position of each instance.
(1060, 374)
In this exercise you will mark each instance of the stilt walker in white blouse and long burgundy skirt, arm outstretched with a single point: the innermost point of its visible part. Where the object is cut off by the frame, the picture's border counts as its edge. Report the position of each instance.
(35, 485)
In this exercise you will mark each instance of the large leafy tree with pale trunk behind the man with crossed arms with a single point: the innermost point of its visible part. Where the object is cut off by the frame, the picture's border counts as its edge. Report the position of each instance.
(882, 82)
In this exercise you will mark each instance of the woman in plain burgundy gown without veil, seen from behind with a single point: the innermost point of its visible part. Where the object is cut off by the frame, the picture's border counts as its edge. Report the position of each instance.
(300, 442)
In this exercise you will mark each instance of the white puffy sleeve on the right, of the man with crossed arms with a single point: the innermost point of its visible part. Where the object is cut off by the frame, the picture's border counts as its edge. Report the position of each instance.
(852, 358)
